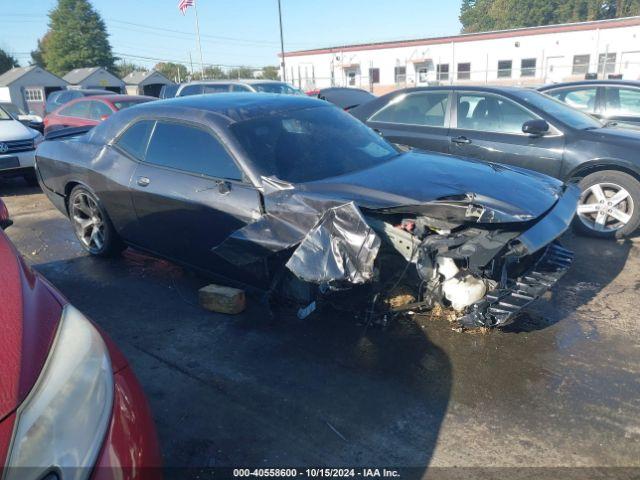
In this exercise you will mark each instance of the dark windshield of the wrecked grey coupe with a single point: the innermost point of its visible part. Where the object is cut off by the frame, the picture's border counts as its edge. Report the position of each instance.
(311, 144)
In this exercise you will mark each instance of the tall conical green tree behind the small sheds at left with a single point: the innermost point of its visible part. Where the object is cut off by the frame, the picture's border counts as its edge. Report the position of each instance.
(77, 38)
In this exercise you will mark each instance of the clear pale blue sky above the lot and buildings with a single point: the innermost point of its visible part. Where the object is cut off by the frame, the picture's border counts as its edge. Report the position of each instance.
(235, 32)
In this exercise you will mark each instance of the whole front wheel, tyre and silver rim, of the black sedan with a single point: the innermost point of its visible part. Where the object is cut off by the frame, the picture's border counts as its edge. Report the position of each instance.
(609, 206)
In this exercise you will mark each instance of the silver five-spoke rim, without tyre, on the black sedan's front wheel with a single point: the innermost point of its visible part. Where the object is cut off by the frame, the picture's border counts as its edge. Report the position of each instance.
(605, 207)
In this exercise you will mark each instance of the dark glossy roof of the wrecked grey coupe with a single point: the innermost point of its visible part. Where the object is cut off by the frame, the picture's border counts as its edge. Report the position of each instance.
(235, 106)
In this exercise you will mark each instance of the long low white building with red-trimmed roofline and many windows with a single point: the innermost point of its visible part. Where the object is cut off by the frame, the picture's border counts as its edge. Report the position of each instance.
(523, 56)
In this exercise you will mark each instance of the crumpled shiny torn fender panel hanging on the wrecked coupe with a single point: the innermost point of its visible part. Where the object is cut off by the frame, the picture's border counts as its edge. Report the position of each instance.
(342, 247)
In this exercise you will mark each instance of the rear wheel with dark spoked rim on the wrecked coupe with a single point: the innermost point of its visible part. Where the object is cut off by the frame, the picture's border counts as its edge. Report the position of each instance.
(92, 225)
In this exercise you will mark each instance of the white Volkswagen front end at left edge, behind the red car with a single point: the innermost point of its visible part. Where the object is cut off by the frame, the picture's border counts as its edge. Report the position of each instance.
(17, 148)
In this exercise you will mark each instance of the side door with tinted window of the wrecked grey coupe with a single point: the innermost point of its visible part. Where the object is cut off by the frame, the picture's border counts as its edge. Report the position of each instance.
(189, 195)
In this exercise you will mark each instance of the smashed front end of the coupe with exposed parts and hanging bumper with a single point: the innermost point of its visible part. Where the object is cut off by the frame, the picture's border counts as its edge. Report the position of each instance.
(485, 272)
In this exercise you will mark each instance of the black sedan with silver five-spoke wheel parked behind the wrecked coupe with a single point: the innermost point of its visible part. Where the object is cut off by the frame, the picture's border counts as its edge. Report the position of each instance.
(524, 128)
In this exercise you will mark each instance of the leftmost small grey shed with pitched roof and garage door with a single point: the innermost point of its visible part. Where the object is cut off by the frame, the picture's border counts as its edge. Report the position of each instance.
(29, 87)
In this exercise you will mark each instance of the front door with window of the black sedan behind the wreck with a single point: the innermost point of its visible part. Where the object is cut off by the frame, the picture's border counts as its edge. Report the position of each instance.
(488, 127)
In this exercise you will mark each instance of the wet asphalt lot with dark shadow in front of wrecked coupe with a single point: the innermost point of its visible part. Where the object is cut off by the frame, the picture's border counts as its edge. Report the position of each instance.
(559, 388)
